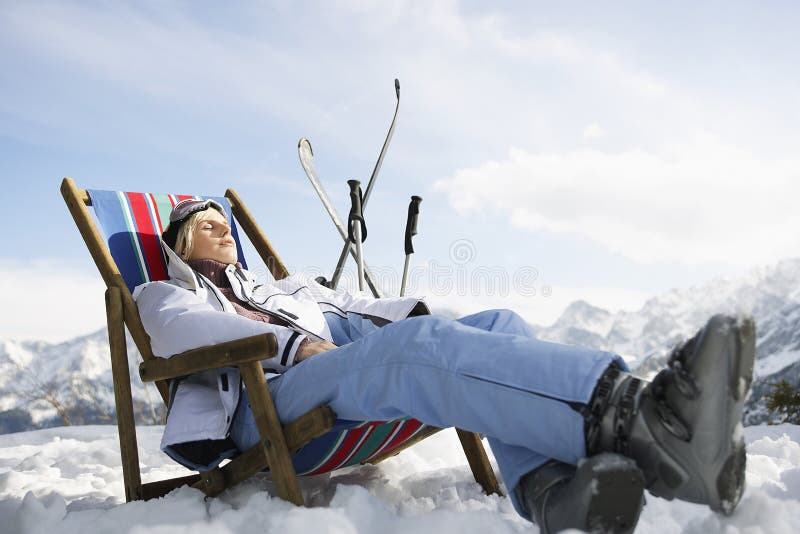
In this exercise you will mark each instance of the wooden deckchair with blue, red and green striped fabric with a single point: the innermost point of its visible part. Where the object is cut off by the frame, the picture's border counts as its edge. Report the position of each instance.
(315, 443)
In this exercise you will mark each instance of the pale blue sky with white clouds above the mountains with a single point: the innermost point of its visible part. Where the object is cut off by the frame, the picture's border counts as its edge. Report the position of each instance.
(604, 151)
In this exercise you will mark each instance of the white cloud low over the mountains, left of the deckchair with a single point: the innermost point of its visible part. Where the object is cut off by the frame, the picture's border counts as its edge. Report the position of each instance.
(43, 300)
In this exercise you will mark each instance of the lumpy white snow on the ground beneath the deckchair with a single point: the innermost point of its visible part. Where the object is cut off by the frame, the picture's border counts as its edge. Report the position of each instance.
(69, 480)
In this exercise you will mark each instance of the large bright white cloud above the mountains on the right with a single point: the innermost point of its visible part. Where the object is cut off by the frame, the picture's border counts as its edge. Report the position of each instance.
(703, 201)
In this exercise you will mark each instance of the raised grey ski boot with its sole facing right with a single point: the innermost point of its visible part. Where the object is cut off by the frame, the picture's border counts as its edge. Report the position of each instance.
(684, 429)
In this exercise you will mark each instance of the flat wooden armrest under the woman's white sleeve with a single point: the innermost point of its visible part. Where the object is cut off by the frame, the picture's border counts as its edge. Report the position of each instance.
(230, 353)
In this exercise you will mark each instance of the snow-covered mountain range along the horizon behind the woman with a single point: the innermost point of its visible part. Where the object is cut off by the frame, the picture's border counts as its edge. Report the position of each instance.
(48, 384)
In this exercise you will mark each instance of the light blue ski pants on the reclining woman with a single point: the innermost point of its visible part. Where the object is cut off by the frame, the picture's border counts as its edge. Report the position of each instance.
(486, 373)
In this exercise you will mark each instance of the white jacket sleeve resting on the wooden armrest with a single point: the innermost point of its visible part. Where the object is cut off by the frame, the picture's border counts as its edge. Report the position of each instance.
(177, 320)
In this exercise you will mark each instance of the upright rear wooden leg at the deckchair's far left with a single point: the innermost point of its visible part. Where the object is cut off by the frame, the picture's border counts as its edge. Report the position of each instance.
(122, 396)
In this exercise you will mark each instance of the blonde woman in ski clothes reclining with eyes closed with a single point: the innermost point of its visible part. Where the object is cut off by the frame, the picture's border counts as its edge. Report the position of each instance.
(545, 408)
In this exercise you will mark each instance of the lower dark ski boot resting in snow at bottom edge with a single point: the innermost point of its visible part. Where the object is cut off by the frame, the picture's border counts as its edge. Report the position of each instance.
(603, 494)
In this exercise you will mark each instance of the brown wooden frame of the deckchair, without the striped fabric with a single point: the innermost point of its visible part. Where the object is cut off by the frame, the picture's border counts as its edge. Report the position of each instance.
(273, 451)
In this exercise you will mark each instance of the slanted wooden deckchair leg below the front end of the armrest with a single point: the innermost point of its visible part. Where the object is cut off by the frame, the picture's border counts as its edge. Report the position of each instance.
(272, 437)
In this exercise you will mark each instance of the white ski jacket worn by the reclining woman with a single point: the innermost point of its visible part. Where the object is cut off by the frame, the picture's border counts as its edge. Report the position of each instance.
(188, 311)
